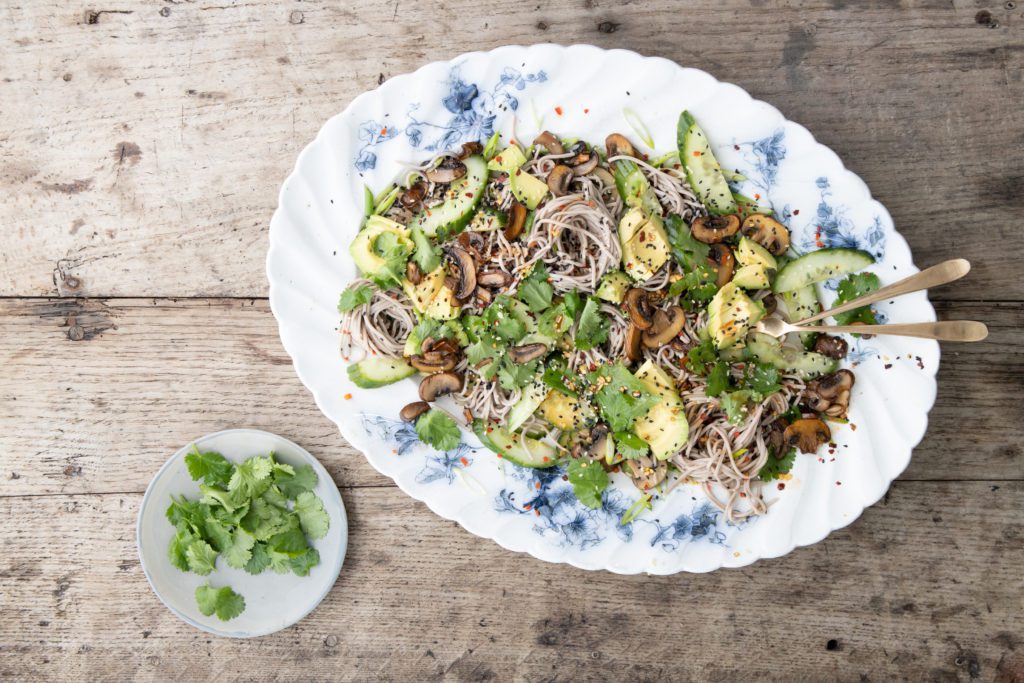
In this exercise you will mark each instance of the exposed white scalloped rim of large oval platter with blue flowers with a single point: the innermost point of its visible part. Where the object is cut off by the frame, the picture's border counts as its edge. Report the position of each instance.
(588, 93)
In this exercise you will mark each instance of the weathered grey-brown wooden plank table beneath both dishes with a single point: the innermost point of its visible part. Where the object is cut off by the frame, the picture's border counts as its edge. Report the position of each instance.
(142, 148)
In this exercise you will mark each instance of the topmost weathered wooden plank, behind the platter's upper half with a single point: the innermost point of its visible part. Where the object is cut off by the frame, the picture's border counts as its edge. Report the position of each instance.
(144, 145)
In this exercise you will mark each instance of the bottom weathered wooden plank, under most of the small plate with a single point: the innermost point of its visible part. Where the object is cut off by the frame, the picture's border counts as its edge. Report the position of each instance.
(924, 586)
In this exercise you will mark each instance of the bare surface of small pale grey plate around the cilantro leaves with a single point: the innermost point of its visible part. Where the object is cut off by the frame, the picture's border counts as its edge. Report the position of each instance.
(273, 602)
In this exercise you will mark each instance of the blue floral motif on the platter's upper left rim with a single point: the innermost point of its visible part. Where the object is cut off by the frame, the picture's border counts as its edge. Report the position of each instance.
(473, 111)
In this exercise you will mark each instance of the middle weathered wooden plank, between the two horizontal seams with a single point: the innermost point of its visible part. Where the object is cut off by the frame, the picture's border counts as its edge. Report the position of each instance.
(102, 414)
